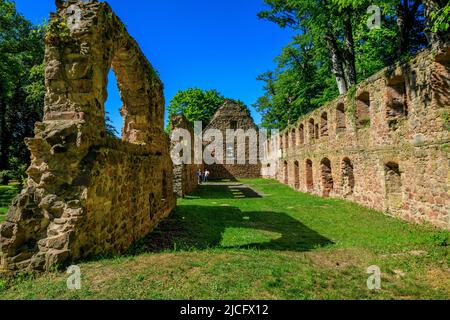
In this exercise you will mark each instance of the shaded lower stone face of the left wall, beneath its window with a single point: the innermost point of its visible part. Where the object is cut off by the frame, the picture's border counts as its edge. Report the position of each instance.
(126, 199)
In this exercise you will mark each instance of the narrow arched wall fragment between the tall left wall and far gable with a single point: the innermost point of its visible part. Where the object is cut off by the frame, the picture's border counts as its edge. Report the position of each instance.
(185, 178)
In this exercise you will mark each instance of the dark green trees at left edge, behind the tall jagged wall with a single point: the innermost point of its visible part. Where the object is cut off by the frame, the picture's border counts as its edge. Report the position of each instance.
(22, 86)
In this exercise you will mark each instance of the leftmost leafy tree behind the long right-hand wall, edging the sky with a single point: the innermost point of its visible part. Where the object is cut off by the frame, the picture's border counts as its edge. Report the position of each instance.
(298, 85)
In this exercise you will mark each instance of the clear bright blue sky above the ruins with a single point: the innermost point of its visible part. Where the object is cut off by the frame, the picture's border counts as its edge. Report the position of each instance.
(209, 44)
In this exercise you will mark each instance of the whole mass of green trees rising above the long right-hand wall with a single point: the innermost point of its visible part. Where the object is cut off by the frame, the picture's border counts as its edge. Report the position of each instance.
(334, 48)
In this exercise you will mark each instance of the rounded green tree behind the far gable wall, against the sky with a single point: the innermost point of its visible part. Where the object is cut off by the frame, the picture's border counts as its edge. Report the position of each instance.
(196, 104)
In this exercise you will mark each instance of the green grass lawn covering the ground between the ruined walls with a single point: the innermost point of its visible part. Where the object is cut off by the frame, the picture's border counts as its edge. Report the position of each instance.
(235, 243)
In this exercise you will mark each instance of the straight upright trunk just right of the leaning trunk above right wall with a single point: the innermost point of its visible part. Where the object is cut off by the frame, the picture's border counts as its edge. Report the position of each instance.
(349, 51)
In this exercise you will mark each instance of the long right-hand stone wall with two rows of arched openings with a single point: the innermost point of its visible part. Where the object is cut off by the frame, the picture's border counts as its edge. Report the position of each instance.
(385, 145)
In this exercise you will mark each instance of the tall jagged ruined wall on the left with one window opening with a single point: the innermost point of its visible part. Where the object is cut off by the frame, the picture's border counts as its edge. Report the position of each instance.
(88, 193)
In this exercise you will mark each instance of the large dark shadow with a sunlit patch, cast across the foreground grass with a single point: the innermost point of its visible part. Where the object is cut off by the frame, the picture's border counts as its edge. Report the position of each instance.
(203, 227)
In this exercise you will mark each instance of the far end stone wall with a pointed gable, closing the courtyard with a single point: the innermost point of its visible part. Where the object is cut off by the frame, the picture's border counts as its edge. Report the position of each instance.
(234, 116)
